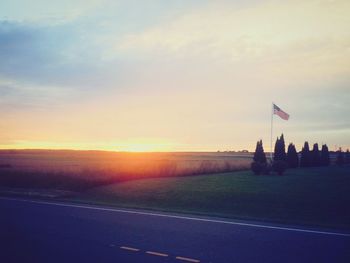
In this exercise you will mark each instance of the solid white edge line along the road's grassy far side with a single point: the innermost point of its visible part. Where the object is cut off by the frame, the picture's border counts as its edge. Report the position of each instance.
(183, 217)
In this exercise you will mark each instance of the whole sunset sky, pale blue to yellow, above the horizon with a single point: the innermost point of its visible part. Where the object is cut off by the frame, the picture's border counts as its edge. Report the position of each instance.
(182, 75)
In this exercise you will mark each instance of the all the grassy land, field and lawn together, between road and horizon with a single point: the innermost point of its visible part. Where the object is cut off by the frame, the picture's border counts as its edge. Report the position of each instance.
(212, 184)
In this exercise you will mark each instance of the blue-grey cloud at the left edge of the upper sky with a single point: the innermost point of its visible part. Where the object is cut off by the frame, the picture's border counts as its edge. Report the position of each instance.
(52, 55)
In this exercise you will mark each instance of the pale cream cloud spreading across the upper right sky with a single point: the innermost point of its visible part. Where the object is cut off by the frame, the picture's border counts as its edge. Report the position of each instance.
(289, 37)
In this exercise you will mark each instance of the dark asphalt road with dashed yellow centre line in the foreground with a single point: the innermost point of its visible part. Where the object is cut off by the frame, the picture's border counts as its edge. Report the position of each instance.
(35, 231)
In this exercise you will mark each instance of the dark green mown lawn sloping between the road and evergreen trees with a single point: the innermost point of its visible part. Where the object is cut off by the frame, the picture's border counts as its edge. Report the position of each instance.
(309, 196)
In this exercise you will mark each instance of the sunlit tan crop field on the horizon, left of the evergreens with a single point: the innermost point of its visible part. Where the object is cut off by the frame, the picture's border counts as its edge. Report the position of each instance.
(80, 170)
